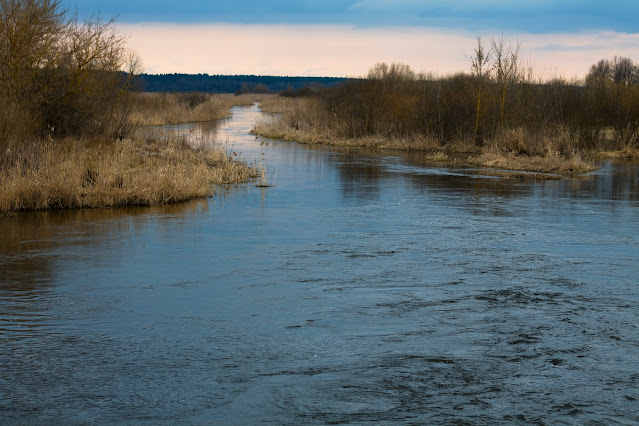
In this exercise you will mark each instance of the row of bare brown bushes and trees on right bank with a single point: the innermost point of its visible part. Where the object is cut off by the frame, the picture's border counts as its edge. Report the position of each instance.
(498, 101)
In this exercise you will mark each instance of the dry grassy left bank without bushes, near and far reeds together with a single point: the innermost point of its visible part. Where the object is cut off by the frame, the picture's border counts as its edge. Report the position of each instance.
(140, 169)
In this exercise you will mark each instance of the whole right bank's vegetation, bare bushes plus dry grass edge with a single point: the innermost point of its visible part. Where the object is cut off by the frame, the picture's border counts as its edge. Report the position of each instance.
(497, 112)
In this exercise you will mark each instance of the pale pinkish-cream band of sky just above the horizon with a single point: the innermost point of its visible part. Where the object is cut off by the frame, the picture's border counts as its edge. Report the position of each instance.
(342, 50)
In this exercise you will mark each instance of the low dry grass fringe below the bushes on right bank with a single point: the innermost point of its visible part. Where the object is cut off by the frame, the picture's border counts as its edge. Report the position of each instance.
(304, 120)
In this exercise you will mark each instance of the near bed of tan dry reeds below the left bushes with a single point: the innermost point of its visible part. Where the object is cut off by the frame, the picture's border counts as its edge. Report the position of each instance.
(85, 173)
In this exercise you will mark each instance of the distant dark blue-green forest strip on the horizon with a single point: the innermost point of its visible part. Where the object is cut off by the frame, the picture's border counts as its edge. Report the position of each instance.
(229, 83)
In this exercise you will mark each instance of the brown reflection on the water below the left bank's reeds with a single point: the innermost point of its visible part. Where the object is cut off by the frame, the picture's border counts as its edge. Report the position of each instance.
(37, 248)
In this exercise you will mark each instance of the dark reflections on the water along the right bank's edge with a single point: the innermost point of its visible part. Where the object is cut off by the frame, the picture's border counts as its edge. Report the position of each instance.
(364, 172)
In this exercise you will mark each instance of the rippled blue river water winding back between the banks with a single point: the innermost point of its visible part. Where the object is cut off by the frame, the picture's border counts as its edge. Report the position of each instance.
(359, 288)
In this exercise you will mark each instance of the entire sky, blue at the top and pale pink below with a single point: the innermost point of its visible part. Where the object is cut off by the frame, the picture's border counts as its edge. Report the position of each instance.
(558, 38)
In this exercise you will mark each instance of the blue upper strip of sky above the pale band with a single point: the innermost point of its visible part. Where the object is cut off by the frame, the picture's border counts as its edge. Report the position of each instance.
(535, 16)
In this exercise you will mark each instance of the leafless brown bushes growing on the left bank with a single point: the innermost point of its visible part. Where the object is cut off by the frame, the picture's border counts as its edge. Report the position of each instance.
(60, 76)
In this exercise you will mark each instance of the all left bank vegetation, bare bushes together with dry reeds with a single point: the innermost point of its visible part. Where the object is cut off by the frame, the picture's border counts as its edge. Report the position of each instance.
(68, 119)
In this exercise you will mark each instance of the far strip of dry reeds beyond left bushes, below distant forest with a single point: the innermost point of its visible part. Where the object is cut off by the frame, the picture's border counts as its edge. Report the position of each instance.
(156, 109)
